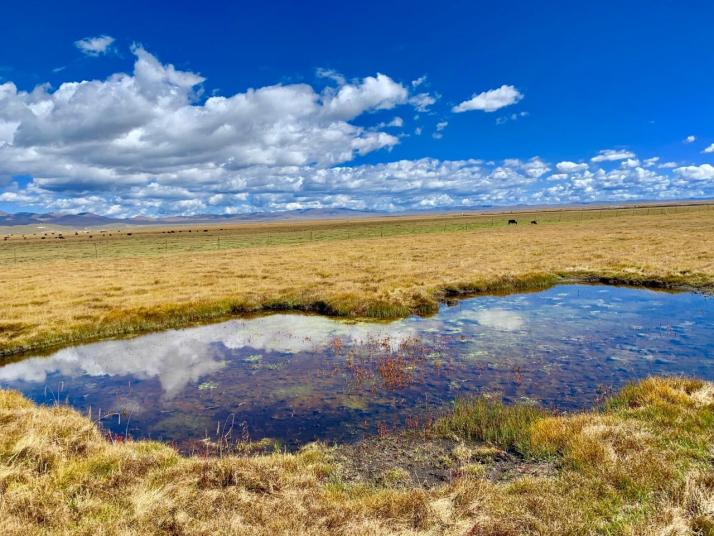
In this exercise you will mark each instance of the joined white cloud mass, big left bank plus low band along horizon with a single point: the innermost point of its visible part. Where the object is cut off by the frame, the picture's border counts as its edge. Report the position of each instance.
(150, 142)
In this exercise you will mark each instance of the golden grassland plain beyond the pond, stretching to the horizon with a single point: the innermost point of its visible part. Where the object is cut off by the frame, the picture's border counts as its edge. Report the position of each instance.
(97, 284)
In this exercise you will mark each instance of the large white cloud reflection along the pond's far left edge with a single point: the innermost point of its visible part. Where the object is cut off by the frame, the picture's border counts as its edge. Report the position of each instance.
(180, 357)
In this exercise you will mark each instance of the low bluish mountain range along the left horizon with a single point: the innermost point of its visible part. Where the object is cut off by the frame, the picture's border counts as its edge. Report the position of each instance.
(87, 219)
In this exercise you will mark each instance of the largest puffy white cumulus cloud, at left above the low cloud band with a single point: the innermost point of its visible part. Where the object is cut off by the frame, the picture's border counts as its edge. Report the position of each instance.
(147, 128)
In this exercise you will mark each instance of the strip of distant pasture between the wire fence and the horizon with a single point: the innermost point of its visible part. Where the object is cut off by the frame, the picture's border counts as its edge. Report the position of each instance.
(55, 245)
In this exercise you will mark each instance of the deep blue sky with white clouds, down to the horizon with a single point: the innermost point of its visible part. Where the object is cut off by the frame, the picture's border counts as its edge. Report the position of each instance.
(122, 108)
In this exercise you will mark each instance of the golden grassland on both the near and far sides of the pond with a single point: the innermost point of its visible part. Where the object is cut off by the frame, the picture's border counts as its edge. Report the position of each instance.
(641, 465)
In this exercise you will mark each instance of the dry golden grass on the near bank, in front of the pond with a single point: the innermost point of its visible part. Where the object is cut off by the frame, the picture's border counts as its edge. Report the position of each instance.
(641, 467)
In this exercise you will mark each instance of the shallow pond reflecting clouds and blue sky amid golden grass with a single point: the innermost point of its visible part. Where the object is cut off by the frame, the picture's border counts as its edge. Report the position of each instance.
(298, 378)
